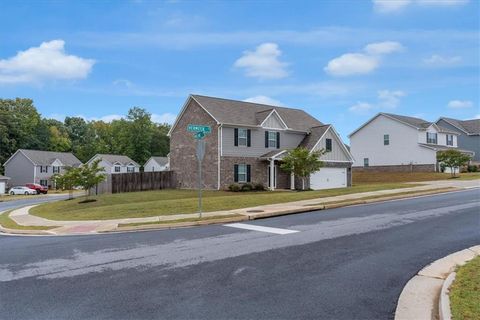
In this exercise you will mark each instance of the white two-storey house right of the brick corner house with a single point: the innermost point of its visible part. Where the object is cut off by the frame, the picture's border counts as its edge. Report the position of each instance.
(390, 142)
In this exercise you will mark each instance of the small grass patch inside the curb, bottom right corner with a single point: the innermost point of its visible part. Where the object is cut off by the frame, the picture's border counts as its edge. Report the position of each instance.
(465, 292)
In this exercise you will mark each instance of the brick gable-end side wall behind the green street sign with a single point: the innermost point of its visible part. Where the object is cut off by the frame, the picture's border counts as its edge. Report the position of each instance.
(182, 150)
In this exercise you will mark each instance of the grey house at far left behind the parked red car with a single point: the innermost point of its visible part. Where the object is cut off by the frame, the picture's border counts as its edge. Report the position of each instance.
(36, 166)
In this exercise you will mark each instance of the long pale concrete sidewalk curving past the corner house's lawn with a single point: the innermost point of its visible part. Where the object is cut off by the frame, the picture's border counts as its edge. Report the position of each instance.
(22, 217)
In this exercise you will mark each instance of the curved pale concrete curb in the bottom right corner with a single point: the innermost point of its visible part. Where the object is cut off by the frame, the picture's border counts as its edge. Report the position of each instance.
(421, 298)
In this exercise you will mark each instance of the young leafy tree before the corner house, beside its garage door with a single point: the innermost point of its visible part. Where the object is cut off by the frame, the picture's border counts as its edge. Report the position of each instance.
(302, 162)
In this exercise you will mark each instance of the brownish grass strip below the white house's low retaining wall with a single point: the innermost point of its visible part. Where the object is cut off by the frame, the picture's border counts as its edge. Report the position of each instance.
(390, 177)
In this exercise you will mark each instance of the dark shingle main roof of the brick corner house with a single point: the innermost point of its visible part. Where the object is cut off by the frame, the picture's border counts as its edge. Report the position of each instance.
(252, 114)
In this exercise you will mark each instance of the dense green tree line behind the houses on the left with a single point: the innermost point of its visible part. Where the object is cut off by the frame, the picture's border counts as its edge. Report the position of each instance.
(23, 127)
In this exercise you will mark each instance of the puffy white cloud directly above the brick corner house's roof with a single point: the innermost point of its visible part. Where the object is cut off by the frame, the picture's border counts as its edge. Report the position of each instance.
(263, 63)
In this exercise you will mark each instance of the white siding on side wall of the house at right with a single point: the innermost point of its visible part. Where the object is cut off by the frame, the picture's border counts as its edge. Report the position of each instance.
(403, 148)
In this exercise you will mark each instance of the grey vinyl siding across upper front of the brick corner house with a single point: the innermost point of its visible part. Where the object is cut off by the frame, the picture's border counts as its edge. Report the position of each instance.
(288, 140)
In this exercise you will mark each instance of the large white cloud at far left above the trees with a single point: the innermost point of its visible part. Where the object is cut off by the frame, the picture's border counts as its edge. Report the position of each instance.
(46, 62)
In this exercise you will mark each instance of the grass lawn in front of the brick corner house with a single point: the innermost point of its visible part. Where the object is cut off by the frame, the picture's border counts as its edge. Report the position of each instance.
(167, 202)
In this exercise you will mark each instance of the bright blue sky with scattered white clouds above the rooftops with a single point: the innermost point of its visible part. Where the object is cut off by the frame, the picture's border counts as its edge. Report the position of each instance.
(341, 61)
